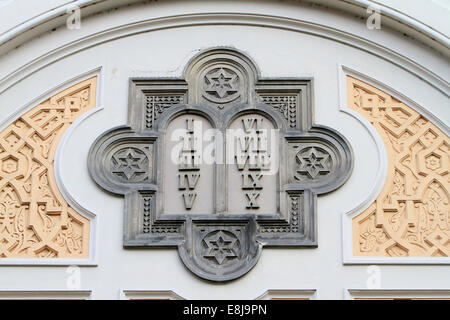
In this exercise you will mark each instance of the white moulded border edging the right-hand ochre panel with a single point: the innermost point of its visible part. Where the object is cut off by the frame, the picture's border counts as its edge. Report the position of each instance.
(347, 243)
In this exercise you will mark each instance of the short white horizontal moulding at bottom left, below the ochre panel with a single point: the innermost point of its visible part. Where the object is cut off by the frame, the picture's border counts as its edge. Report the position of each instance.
(45, 294)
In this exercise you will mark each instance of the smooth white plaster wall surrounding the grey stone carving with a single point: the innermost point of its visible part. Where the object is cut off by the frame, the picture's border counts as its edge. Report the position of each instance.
(164, 53)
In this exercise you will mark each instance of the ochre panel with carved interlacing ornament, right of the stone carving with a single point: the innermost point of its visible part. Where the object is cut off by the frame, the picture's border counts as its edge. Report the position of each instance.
(411, 216)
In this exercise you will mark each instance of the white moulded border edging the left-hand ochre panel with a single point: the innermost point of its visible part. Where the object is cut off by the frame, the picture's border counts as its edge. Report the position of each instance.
(92, 259)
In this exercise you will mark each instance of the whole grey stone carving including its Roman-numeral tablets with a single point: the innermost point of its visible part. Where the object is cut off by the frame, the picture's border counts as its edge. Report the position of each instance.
(223, 88)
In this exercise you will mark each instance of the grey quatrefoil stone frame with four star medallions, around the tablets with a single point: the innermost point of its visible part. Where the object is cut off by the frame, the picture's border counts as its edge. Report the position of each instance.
(220, 84)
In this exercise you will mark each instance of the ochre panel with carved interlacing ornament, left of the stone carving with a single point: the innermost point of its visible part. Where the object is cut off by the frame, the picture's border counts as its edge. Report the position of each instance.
(35, 220)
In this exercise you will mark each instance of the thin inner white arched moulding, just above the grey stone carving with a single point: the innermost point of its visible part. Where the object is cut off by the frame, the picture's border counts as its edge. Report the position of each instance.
(205, 19)
